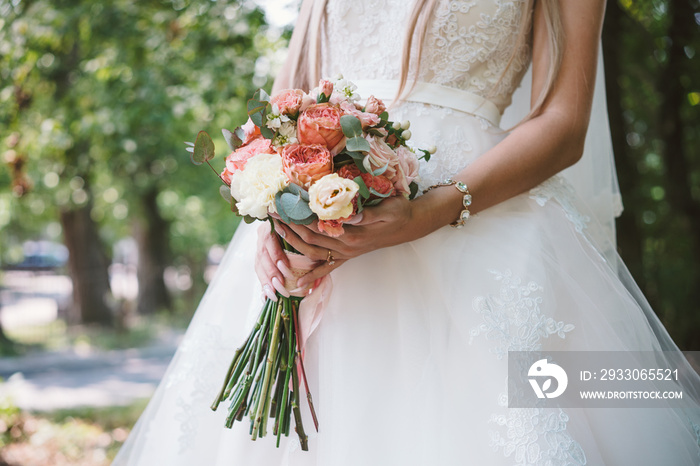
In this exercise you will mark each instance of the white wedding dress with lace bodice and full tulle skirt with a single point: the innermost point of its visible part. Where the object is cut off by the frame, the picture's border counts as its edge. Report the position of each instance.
(408, 365)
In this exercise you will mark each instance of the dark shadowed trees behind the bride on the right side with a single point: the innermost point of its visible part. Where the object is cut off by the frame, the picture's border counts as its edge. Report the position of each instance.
(653, 94)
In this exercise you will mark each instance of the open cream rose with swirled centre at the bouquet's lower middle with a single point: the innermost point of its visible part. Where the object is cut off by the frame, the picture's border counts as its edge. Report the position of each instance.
(331, 197)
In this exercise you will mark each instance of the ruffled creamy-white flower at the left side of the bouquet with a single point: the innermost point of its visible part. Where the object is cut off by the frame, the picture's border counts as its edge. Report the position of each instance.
(255, 187)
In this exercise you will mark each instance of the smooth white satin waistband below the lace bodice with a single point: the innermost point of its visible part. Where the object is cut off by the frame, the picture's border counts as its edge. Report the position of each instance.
(432, 94)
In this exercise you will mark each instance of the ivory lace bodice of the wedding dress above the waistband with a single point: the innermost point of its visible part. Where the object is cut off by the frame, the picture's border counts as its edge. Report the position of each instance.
(468, 44)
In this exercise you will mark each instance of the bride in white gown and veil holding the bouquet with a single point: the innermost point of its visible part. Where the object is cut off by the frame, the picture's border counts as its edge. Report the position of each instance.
(409, 363)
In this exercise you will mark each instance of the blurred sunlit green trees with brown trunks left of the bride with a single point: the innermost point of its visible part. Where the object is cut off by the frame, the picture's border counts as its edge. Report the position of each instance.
(97, 99)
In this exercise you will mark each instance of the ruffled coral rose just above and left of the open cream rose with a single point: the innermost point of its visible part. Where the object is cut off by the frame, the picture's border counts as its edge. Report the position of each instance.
(305, 164)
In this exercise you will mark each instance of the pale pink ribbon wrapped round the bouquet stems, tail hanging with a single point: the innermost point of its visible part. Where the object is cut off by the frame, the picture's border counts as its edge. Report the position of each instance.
(312, 306)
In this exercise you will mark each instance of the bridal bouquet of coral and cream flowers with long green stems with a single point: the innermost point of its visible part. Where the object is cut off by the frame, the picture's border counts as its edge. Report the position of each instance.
(301, 157)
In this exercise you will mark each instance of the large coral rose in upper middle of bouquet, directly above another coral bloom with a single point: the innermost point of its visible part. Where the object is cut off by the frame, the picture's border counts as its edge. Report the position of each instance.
(320, 124)
